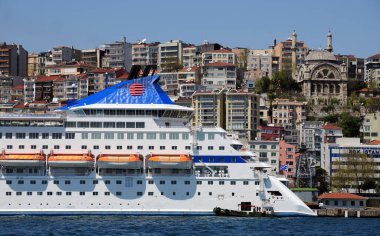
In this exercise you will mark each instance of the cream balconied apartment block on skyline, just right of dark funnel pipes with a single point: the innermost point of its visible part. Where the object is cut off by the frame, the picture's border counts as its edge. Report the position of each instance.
(170, 57)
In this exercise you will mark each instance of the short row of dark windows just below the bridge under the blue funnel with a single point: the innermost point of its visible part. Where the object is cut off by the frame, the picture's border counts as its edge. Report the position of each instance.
(117, 125)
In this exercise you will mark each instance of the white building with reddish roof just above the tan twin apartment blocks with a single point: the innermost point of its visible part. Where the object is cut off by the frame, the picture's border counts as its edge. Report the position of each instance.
(218, 75)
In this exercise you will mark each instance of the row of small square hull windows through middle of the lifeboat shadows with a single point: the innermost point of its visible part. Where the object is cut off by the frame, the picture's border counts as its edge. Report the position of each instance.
(139, 182)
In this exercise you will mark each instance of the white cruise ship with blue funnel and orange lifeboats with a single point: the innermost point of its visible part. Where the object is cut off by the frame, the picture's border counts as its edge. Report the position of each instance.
(130, 150)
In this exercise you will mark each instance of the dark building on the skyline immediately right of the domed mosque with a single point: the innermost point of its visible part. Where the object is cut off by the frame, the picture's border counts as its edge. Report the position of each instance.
(355, 66)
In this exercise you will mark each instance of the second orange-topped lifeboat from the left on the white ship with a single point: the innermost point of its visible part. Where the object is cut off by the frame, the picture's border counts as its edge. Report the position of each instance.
(71, 160)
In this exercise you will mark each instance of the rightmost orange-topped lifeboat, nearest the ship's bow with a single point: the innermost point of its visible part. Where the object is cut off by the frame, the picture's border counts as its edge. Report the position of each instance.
(181, 161)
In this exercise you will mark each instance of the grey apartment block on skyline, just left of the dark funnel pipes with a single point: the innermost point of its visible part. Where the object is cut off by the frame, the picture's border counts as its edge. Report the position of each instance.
(118, 55)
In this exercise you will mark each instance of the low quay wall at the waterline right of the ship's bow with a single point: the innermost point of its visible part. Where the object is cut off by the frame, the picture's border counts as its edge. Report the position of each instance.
(356, 213)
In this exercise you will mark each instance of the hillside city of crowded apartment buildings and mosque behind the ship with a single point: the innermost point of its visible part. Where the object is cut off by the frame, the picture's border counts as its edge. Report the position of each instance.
(309, 113)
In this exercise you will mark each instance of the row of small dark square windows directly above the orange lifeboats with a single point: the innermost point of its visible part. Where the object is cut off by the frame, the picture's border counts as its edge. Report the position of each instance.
(108, 147)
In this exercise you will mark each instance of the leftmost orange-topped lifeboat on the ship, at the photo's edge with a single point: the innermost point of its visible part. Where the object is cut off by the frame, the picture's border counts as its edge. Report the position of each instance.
(22, 159)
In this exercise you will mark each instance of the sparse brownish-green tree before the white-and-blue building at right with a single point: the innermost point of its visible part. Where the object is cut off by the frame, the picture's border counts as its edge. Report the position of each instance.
(351, 170)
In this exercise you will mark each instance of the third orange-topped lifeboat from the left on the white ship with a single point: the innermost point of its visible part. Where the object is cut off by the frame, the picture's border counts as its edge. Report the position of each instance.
(119, 161)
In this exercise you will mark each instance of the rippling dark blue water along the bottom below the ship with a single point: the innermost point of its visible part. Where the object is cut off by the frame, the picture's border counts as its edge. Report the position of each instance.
(203, 225)
